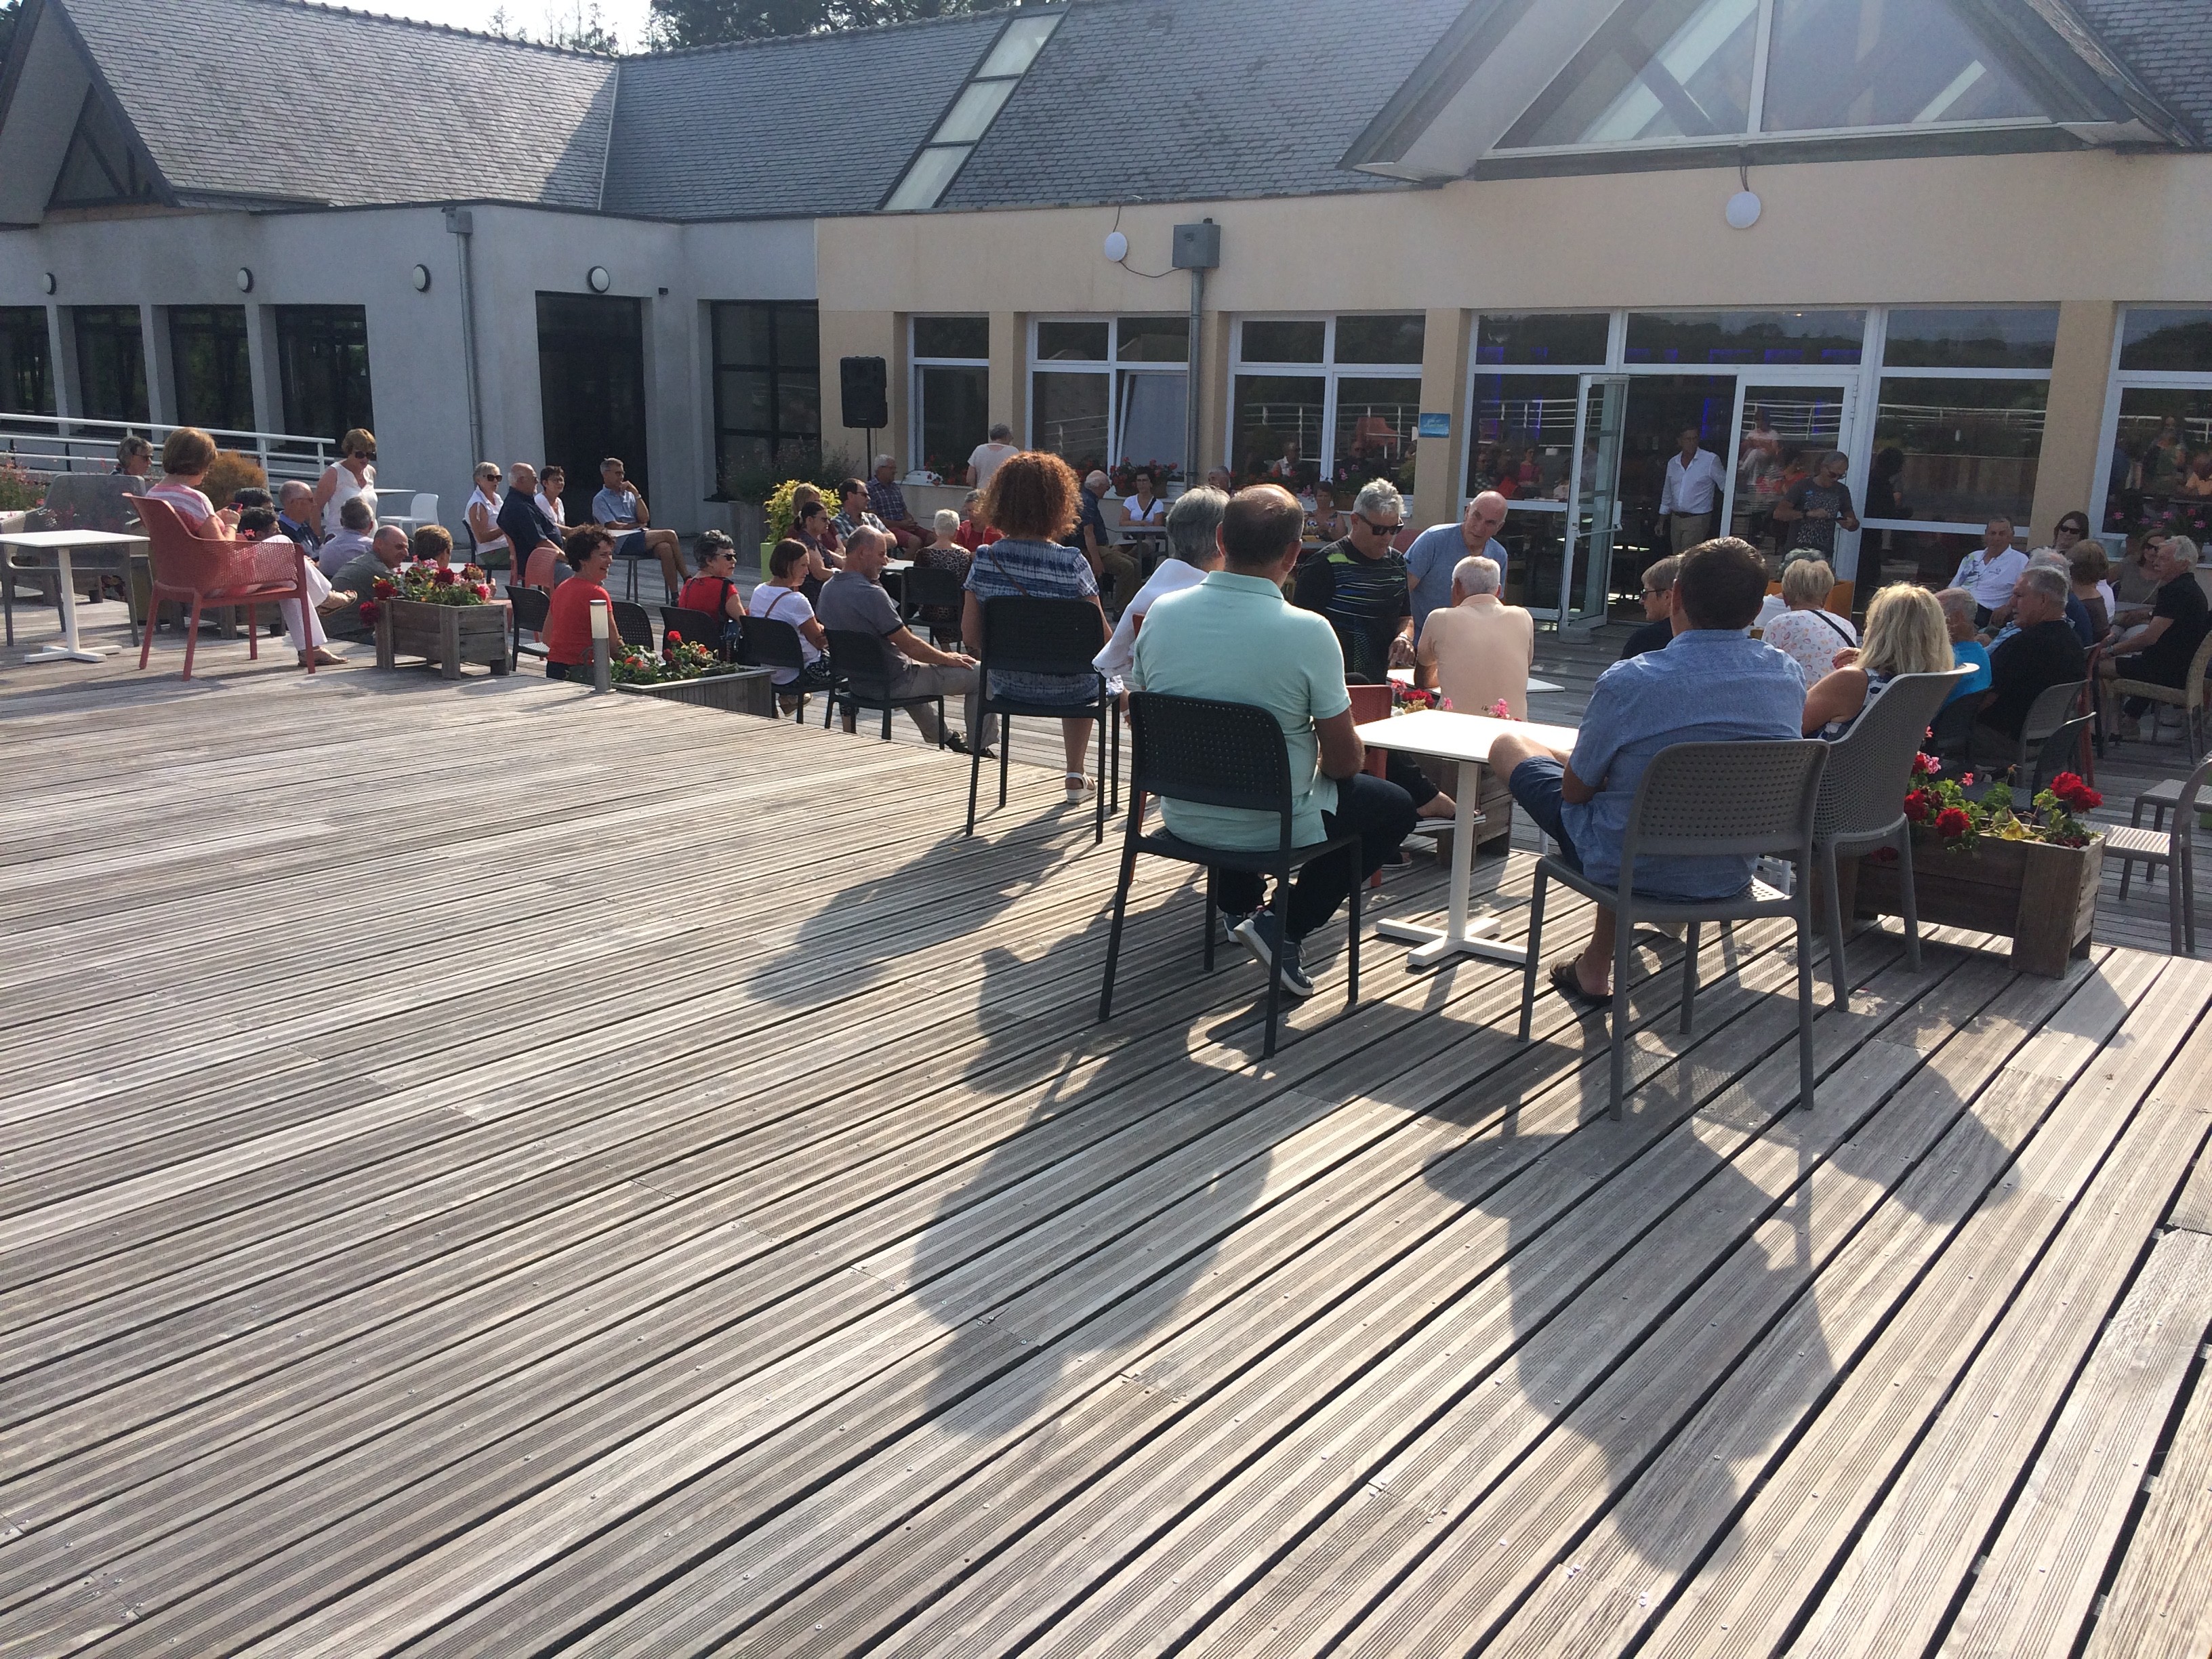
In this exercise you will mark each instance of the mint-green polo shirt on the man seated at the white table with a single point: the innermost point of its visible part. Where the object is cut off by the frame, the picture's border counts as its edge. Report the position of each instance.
(1238, 640)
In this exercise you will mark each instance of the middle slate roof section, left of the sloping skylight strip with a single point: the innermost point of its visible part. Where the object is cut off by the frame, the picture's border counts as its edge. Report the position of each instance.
(784, 127)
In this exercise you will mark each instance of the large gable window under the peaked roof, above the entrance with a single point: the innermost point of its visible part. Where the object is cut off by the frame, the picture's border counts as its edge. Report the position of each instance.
(1718, 72)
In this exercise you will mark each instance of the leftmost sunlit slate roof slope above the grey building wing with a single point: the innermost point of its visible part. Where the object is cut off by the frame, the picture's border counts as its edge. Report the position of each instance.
(382, 112)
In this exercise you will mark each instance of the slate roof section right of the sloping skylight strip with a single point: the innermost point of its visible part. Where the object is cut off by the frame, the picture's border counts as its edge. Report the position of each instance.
(1182, 101)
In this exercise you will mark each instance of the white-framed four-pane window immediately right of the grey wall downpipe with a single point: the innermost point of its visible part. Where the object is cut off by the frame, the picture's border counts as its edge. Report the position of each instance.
(1326, 397)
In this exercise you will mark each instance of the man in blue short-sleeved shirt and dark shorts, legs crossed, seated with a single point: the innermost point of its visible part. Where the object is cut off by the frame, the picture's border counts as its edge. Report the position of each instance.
(1713, 685)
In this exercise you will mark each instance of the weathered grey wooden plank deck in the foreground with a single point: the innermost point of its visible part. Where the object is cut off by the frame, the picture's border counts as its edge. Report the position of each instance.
(494, 1171)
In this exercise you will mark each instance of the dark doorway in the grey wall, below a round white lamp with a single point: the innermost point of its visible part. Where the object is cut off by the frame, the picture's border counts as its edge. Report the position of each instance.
(592, 379)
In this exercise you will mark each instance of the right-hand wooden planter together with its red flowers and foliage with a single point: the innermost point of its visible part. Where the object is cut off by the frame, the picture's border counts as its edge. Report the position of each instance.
(1987, 868)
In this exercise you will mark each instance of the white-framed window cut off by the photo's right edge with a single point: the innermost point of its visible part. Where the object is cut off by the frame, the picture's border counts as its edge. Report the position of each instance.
(2158, 426)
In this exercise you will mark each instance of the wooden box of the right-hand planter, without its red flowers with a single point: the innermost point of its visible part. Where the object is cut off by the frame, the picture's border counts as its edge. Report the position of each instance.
(2045, 899)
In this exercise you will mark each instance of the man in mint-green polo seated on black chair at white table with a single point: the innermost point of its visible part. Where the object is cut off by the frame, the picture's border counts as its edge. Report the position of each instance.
(1235, 640)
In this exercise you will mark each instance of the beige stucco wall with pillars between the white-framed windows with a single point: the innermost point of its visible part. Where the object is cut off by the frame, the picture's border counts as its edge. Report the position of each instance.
(2085, 229)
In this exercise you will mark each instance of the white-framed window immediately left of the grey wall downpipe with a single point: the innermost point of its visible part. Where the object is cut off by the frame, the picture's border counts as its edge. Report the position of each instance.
(1112, 393)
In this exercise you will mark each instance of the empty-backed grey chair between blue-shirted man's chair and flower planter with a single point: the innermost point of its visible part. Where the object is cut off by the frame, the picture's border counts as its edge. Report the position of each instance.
(1864, 800)
